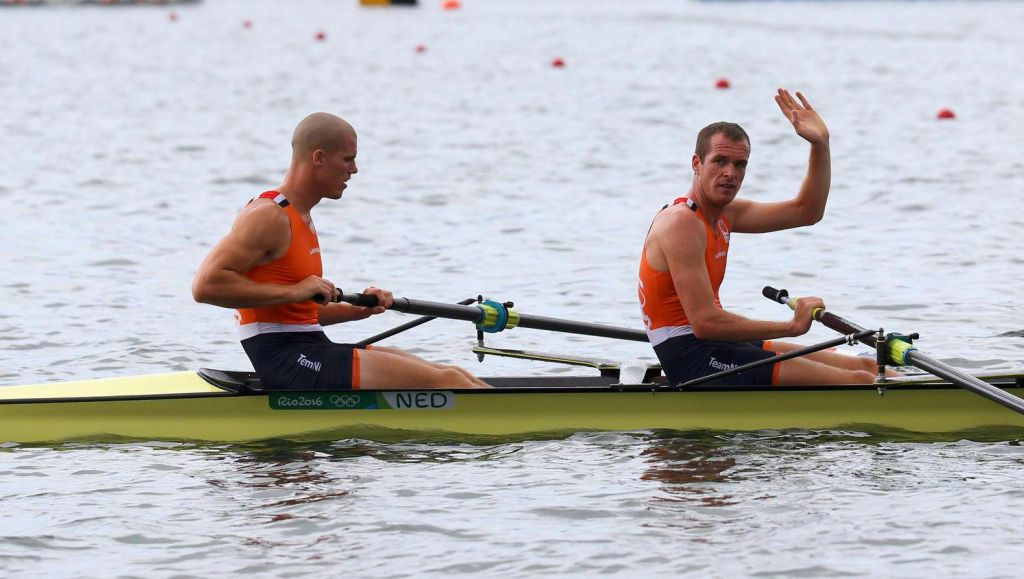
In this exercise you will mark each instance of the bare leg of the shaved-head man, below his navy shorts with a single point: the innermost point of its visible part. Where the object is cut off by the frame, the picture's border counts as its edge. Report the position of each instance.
(382, 368)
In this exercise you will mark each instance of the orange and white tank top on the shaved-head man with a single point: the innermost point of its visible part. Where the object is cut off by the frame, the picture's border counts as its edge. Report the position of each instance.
(302, 261)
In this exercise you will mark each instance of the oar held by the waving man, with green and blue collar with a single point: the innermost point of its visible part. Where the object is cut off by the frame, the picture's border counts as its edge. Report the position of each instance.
(903, 353)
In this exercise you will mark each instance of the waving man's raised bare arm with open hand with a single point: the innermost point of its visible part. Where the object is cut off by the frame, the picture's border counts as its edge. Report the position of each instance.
(809, 205)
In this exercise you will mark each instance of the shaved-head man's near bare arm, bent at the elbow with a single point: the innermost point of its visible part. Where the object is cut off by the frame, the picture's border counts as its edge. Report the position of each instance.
(261, 235)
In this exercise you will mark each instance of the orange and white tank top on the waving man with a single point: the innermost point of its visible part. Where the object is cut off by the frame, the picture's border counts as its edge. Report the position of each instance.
(663, 312)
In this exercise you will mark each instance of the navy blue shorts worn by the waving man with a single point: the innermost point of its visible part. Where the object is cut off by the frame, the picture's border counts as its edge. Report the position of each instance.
(687, 358)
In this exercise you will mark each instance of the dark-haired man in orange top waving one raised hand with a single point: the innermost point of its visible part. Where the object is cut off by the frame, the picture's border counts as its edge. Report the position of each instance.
(684, 264)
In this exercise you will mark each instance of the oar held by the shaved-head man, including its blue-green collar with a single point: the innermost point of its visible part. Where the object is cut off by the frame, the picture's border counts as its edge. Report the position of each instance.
(493, 317)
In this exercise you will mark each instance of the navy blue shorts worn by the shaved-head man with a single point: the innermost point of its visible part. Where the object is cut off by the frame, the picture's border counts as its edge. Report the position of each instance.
(304, 361)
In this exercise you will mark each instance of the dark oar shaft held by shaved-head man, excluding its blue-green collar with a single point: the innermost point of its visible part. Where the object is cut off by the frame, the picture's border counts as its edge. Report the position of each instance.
(476, 315)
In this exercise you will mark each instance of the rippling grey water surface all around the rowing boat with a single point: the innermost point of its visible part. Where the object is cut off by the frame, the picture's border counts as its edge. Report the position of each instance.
(131, 142)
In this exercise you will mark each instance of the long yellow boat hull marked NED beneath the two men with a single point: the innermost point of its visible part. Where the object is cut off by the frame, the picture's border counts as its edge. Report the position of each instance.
(185, 407)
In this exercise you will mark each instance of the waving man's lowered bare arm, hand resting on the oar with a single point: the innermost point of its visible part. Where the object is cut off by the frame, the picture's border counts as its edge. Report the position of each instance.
(679, 243)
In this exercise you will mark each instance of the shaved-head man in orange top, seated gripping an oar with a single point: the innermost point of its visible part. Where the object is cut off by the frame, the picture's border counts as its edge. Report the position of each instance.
(269, 268)
